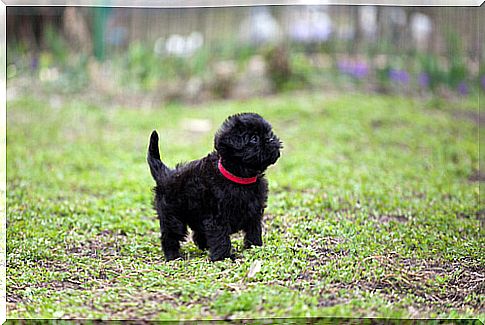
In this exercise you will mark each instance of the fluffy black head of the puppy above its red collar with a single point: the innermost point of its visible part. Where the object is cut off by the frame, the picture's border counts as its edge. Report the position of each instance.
(246, 140)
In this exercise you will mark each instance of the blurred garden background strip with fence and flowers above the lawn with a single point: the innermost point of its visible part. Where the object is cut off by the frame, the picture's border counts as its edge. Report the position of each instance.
(146, 57)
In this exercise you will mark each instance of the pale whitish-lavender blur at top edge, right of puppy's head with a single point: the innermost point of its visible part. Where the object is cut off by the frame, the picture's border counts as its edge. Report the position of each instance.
(311, 25)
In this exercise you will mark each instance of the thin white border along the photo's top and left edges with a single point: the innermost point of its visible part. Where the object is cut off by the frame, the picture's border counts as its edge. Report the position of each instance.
(145, 4)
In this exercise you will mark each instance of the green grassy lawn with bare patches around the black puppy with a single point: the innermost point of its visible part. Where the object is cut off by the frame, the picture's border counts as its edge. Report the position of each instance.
(373, 211)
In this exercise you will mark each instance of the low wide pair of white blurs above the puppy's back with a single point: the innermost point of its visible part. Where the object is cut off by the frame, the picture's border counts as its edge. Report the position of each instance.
(181, 46)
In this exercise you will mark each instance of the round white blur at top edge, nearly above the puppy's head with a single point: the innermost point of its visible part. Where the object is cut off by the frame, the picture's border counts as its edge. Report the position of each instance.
(260, 27)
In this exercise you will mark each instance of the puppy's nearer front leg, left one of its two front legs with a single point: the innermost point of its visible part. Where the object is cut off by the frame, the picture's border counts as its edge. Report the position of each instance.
(218, 240)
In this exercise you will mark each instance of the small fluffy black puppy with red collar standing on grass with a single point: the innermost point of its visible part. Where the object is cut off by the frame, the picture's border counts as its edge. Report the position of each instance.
(220, 194)
